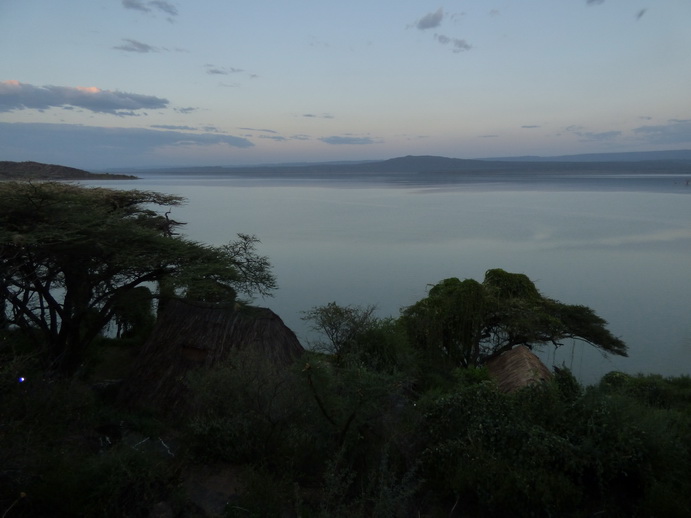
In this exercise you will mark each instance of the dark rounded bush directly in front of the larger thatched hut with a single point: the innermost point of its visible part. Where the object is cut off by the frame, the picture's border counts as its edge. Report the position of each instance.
(248, 411)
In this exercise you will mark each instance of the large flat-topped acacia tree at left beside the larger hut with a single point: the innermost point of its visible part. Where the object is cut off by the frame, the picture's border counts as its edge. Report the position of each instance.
(70, 255)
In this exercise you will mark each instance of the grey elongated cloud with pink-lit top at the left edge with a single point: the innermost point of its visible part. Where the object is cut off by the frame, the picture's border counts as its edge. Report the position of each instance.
(19, 96)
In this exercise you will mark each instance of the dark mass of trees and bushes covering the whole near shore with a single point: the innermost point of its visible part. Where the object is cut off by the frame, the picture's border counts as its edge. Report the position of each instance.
(393, 417)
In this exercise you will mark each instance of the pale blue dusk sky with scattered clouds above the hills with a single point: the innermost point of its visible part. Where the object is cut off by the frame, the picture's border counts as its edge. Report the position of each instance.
(103, 84)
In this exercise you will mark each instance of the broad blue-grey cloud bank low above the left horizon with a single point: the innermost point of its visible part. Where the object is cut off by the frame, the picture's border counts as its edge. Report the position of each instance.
(100, 147)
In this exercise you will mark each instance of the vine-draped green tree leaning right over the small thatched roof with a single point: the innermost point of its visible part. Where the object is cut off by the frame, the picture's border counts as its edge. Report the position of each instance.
(465, 323)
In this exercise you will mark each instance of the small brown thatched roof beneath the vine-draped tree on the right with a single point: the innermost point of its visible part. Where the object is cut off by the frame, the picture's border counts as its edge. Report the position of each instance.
(517, 368)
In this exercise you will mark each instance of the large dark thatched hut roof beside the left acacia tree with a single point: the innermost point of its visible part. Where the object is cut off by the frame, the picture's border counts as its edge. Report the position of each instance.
(190, 336)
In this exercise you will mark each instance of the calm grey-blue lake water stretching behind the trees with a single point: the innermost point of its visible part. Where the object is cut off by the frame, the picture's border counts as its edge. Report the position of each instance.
(621, 246)
